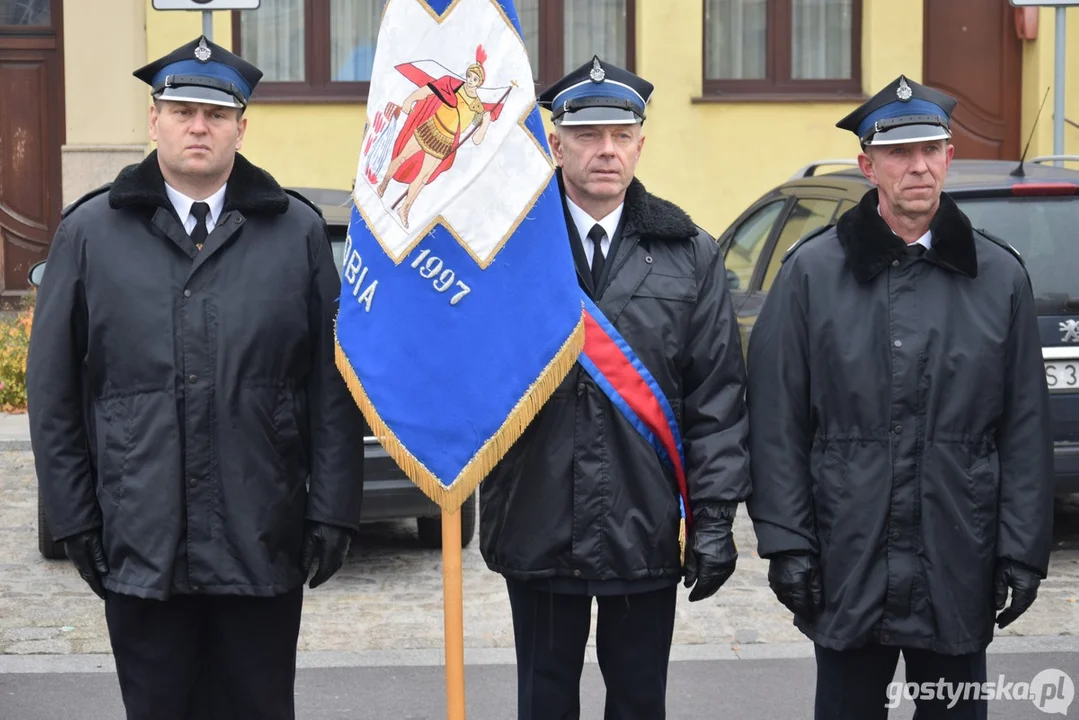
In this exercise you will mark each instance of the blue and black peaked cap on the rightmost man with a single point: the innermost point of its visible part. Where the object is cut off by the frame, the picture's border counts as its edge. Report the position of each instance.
(904, 112)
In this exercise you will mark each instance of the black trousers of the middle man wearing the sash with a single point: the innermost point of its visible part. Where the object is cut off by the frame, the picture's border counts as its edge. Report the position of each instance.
(633, 643)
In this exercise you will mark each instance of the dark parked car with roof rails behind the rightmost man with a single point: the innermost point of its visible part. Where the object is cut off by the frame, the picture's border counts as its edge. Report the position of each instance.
(1036, 212)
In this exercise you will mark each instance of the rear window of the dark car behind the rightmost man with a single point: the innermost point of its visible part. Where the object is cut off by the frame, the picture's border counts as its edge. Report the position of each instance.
(1043, 230)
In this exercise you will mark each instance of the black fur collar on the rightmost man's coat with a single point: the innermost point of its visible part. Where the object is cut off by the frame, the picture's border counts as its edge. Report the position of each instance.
(871, 246)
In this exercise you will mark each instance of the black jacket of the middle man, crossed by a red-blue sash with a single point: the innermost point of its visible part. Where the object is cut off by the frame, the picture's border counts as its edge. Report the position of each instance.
(582, 495)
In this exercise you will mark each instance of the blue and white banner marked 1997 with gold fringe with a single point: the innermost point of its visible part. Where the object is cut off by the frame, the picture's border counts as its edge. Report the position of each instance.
(460, 309)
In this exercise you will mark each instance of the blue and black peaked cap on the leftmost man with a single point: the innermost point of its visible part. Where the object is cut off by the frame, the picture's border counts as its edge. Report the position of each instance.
(201, 72)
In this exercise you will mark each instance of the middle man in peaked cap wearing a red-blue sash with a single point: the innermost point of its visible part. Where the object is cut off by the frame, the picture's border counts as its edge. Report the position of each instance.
(583, 507)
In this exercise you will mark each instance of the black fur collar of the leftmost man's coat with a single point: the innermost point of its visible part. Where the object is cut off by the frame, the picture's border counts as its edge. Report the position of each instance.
(251, 189)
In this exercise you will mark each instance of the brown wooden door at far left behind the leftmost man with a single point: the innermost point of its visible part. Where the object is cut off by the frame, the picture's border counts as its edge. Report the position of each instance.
(32, 133)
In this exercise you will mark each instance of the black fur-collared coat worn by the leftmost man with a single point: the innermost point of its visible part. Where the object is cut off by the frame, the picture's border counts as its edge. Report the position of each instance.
(188, 402)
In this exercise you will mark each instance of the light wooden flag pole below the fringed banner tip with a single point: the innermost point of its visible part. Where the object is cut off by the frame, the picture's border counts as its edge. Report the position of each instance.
(454, 613)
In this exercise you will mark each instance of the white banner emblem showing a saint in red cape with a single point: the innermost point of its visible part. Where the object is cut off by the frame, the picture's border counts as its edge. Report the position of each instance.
(447, 142)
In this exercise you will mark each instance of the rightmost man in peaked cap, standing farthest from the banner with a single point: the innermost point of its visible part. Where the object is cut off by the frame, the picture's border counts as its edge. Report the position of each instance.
(899, 427)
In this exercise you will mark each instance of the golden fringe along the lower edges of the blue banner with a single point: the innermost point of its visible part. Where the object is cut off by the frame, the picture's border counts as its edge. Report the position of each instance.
(453, 497)
